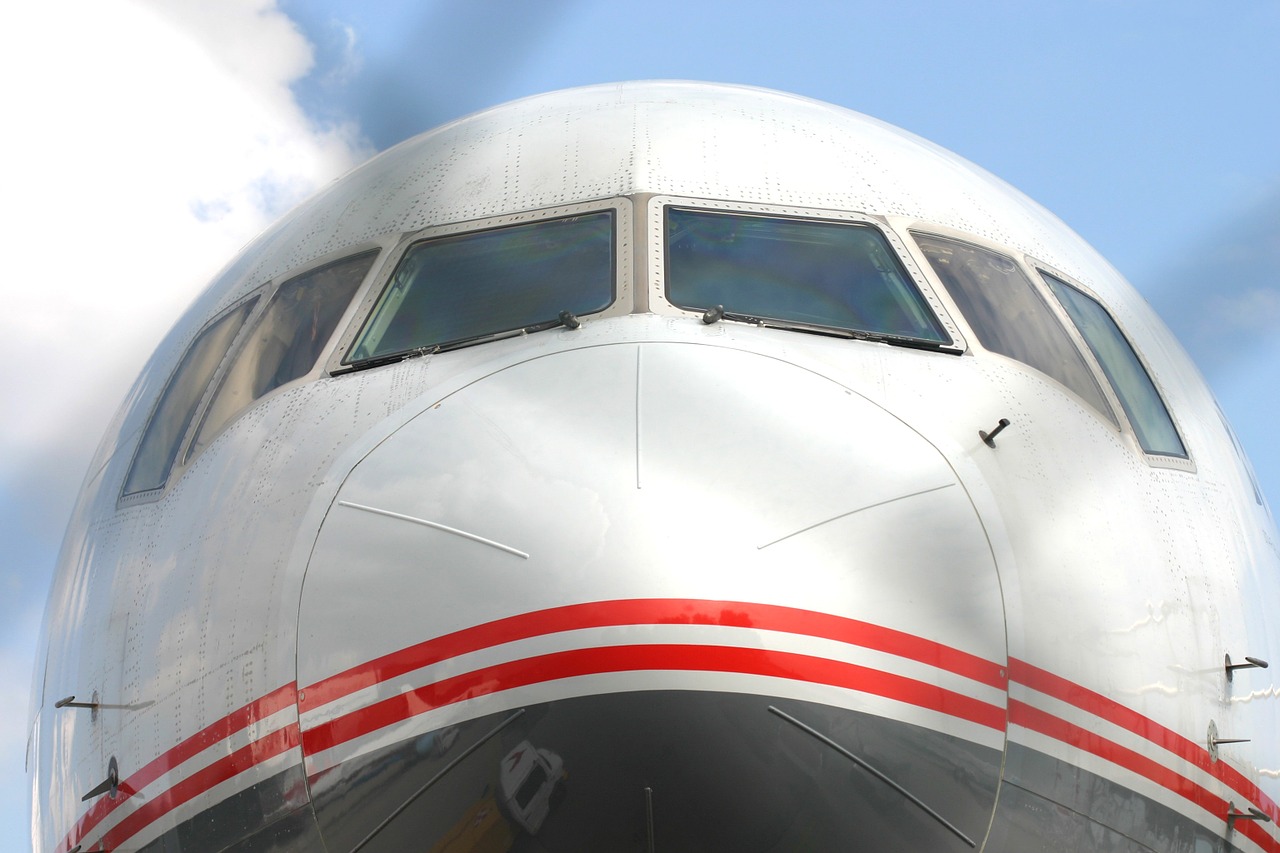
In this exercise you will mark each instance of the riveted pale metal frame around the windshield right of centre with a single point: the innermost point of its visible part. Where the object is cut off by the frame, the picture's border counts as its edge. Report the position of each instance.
(657, 253)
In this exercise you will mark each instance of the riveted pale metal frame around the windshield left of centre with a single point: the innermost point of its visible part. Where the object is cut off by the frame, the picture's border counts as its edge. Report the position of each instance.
(624, 266)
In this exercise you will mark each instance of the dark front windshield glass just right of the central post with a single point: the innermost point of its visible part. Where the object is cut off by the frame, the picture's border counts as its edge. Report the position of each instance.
(824, 273)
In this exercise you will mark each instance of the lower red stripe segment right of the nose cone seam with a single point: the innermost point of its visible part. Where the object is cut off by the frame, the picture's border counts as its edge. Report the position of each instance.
(1031, 718)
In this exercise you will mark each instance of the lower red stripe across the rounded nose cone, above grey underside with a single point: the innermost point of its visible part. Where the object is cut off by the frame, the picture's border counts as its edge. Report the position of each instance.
(664, 658)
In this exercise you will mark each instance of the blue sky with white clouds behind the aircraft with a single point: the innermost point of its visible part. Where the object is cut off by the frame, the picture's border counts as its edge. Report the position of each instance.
(149, 142)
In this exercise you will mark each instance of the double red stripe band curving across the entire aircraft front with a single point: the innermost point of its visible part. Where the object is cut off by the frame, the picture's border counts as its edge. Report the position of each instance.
(671, 658)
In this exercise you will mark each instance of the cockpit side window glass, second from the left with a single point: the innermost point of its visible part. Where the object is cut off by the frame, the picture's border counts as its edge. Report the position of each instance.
(287, 340)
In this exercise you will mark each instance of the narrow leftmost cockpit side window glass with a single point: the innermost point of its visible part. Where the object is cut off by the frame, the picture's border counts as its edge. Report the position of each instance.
(172, 418)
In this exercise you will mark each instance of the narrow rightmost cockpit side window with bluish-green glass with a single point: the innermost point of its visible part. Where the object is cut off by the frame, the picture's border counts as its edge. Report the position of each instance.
(1131, 381)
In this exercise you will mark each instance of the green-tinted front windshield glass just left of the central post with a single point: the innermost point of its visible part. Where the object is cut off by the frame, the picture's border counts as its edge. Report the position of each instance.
(463, 288)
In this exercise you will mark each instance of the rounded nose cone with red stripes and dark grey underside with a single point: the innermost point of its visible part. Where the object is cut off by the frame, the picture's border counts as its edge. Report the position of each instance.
(652, 596)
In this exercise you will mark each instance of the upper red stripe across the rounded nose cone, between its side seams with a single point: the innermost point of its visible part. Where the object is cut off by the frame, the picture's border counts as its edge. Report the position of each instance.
(653, 612)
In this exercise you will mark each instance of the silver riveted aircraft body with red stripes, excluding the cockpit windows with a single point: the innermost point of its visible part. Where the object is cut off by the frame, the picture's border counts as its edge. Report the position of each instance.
(643, 533)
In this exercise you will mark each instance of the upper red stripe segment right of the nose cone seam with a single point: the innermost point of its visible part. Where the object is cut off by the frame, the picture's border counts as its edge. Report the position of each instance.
(1117, 714)
